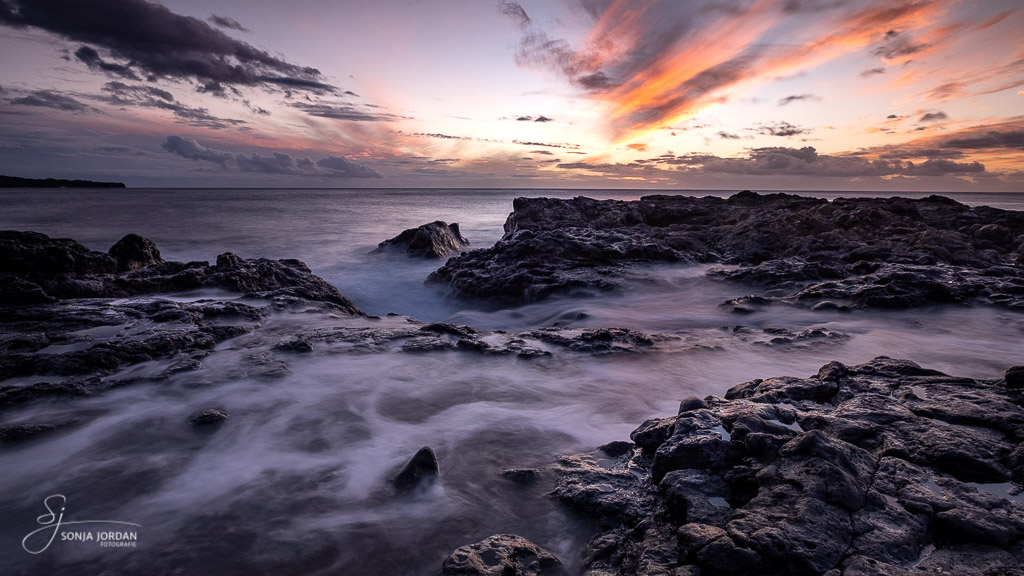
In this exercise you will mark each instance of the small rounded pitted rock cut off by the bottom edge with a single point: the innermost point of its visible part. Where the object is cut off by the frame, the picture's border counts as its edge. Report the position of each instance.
(502, 555)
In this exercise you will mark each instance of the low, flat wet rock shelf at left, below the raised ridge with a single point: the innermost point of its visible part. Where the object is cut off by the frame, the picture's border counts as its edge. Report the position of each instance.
(73, 349)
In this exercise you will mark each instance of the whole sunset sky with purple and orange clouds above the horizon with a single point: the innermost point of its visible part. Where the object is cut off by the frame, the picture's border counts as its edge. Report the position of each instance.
(703, 95)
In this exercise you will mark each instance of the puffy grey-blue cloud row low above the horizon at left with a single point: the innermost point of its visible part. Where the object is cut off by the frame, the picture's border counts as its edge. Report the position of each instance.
(277, 163)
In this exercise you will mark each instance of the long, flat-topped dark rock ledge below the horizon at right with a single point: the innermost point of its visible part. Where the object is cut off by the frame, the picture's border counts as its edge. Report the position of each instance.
(892, 253)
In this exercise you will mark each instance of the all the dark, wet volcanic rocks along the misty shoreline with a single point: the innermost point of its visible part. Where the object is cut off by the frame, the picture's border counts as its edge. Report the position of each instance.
(884, 468)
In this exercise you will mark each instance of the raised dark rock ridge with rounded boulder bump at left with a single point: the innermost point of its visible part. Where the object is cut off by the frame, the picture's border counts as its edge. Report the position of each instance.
(36, 269)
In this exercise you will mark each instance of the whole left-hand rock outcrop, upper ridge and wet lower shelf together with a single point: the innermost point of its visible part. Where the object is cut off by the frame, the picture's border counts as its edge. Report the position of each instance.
(69, 317)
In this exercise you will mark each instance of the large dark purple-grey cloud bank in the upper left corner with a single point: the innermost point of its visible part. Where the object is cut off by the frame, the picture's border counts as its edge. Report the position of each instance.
(153, 42)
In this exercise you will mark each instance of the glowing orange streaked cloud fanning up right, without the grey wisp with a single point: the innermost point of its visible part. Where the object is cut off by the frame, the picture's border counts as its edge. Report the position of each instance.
(656, 83)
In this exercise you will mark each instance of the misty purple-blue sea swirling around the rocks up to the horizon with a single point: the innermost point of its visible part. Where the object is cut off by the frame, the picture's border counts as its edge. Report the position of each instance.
(296, 481)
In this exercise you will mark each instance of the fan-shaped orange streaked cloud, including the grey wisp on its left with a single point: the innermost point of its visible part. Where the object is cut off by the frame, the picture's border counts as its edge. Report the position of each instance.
(654, 63)
